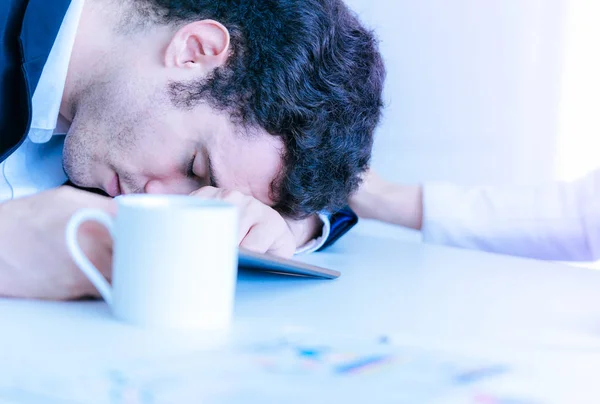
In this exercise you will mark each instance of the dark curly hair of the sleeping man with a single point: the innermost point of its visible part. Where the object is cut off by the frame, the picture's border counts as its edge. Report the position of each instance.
(305, 70)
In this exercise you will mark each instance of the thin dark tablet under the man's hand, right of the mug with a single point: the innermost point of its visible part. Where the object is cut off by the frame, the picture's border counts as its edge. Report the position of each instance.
(265, 262)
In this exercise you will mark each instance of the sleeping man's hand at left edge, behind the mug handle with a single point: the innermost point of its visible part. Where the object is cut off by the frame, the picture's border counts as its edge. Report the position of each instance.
(34, 260)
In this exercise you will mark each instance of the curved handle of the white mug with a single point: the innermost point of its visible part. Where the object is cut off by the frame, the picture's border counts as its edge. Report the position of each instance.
(93, 274)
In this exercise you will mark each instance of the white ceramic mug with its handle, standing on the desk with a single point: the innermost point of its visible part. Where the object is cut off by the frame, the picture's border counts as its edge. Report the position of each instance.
(174, 260)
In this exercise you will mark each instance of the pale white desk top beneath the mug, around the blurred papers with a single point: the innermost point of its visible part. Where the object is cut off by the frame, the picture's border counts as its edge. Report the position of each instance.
(541, 318)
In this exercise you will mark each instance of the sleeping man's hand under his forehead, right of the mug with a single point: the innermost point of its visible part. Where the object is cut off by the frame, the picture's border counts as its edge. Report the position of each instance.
(261, 228)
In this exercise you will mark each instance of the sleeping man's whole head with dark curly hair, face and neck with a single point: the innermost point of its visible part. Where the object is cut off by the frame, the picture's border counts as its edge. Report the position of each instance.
(275, 98)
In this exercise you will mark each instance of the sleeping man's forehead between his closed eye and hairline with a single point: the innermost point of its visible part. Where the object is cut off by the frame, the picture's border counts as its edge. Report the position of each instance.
(248, 161)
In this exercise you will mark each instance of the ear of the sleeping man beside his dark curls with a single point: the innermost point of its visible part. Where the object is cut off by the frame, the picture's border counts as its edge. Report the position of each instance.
(200, 45)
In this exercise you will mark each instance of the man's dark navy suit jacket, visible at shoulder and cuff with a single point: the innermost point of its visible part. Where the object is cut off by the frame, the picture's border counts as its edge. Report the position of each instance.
(28, 29)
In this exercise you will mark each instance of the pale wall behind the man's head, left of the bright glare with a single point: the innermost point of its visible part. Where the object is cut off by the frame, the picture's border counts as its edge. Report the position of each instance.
(473, 88)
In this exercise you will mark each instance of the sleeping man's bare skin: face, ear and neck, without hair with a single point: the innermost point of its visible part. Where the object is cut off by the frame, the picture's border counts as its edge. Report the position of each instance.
(127, 136)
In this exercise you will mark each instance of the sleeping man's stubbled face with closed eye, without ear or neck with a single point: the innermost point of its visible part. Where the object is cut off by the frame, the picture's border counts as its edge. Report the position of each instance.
(128, 137)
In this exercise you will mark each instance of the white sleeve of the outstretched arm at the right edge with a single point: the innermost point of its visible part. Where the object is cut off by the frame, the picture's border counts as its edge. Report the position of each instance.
(558, 221)
